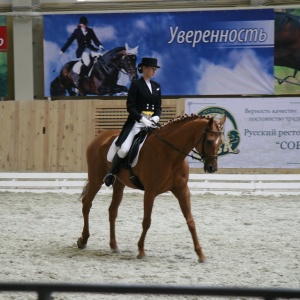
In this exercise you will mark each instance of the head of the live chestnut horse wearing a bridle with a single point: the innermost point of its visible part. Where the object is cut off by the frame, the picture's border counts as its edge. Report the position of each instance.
(211, 142)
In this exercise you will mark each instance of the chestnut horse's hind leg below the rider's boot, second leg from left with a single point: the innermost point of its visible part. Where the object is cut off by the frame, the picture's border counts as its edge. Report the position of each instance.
(117, 197)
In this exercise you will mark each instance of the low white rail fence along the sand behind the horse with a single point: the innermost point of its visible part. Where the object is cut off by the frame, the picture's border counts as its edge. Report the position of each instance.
(266, 184)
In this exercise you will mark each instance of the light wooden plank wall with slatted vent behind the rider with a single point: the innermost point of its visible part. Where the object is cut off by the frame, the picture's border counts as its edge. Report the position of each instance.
(52, 136)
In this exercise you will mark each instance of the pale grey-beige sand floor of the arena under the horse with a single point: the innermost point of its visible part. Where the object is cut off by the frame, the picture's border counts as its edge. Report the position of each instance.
(249, 241)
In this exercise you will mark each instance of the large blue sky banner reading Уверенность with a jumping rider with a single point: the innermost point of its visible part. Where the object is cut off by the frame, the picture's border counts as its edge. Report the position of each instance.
(228, 52)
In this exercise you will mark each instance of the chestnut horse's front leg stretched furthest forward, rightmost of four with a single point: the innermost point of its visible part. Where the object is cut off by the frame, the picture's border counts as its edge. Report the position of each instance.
(184, 197)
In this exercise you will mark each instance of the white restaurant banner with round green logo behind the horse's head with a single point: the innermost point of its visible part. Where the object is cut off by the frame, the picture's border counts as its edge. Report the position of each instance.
(259, 132)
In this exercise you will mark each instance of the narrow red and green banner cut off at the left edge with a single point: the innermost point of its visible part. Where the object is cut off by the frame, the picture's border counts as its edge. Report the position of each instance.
(3, 57)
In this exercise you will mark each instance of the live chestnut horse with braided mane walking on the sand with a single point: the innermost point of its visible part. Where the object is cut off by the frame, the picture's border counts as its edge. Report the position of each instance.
(161, 167)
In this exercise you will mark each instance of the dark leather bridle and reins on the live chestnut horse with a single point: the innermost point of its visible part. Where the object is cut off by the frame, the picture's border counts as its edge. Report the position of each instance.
(200, 156)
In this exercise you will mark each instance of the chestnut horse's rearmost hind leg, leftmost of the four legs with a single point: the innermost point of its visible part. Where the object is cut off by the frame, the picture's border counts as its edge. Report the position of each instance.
(92, 190)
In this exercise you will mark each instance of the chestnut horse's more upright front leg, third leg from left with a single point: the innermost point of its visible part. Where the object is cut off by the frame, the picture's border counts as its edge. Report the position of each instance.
(148, 206)
